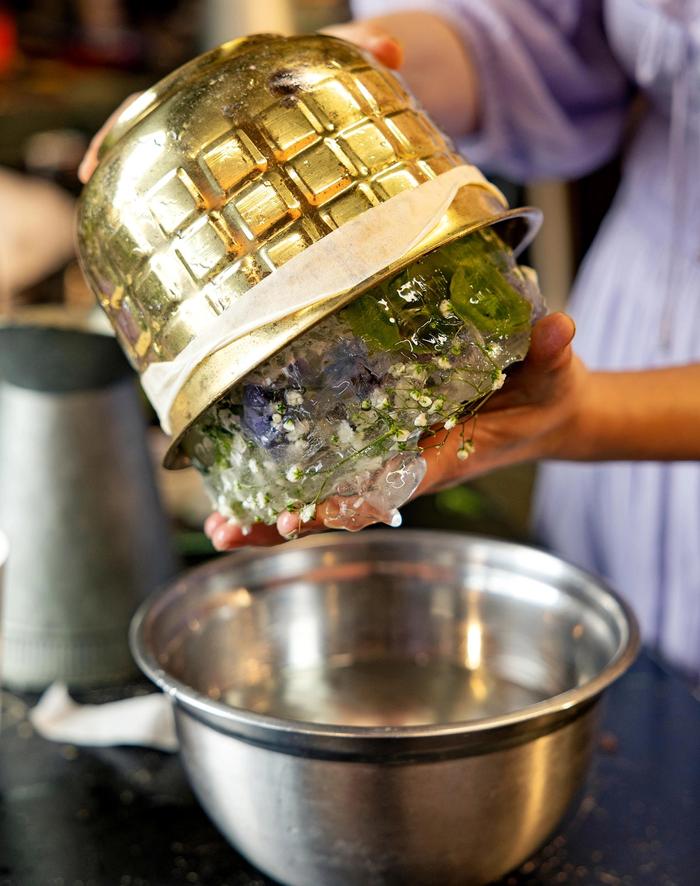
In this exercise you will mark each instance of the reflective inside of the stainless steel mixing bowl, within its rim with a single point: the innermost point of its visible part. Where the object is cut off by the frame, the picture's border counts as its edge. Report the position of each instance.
(389, 635)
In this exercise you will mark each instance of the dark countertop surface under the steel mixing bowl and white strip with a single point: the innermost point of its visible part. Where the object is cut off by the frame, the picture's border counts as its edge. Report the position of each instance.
(126, 817)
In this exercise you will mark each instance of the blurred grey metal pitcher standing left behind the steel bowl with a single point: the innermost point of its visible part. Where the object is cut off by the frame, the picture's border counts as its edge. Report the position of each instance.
(79, 504)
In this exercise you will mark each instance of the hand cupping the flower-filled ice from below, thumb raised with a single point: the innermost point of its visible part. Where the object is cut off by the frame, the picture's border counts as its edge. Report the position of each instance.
(535, 415)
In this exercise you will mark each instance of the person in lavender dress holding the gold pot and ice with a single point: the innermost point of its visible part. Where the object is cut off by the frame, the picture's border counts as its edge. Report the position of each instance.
(542, 88)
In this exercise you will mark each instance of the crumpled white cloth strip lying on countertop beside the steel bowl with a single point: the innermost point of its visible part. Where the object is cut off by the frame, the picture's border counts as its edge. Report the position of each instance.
(144, 720)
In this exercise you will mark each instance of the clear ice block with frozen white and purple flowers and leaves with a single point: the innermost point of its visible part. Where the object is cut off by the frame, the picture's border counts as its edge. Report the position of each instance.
(338, 414)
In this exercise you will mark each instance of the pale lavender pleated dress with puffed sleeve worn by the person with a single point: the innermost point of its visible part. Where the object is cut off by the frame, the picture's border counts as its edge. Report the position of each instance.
(556, 79)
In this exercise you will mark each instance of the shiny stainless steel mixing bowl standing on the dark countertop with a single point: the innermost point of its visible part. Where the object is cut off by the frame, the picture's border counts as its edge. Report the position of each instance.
(388, 707)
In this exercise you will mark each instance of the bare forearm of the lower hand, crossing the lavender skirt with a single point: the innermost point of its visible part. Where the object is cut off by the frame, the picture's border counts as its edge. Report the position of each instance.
(651, 415)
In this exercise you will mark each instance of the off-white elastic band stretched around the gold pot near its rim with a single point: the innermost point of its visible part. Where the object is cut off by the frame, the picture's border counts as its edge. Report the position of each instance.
(338, 262)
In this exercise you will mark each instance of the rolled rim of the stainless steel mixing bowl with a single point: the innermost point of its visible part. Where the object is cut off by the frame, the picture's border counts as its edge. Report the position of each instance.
(555, 705)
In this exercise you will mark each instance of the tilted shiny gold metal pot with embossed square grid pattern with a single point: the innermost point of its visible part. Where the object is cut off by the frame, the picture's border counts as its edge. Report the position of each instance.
(233, 165)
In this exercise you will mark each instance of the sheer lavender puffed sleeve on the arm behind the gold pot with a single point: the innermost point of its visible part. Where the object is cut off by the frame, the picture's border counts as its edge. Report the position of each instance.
(553, 97)
